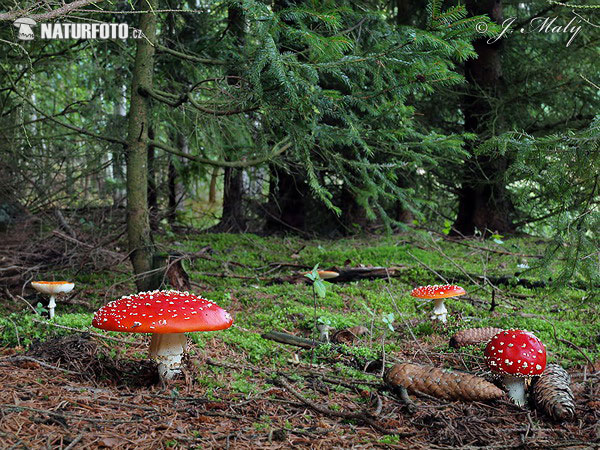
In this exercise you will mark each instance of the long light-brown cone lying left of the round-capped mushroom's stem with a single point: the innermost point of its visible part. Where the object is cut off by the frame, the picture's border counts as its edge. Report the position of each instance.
(441, 383)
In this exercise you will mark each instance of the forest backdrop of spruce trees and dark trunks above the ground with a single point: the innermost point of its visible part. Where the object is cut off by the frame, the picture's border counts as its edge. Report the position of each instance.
(321, 118)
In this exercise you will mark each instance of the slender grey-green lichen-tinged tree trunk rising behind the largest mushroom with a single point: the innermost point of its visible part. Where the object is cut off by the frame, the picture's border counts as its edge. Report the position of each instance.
(141, 246)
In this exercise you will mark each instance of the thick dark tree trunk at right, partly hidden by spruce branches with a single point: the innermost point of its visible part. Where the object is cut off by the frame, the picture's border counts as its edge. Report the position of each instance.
(484, 203)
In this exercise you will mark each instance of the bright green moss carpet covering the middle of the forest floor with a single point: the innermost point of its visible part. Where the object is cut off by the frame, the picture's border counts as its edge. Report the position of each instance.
(557, 317)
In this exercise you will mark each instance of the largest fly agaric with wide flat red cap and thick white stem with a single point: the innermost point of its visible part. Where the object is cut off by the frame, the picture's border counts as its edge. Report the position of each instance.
(168, 315)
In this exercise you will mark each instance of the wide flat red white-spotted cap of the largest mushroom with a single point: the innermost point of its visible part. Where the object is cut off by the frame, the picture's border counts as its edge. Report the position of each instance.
(162, 312)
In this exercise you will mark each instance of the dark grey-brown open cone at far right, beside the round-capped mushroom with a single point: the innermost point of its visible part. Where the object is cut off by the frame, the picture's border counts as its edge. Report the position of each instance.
(552, 393)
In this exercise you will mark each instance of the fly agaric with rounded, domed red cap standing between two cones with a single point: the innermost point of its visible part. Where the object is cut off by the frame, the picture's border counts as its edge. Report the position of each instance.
(516, 354)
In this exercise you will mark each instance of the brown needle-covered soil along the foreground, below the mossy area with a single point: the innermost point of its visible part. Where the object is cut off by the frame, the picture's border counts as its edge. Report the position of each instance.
(72, 392)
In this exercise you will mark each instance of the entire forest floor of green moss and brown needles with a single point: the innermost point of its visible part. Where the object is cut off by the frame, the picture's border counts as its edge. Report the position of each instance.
(67, 385)
